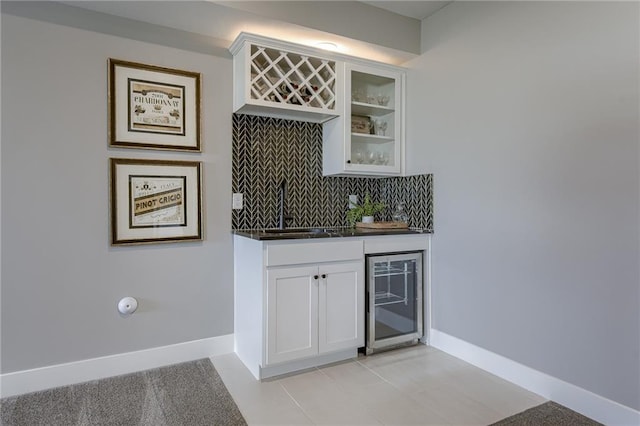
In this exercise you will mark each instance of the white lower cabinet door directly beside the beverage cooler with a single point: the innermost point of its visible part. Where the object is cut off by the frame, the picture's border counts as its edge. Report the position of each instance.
(341, 306)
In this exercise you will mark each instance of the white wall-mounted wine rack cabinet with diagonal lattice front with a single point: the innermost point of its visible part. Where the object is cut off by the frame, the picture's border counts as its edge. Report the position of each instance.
(278, 79)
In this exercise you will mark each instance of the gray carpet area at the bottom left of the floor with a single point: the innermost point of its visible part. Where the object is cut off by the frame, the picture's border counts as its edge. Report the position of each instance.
(190, 393)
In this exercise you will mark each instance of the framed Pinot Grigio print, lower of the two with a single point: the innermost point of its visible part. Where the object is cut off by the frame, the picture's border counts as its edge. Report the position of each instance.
(155, 201)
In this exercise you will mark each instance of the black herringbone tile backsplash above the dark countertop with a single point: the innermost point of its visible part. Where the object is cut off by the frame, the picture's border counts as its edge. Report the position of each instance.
(268, 150)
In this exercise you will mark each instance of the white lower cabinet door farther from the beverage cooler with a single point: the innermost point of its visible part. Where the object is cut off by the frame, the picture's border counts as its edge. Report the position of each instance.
(292, 314)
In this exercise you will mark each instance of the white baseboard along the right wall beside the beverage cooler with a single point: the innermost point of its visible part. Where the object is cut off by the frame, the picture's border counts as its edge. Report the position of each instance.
(580, 400)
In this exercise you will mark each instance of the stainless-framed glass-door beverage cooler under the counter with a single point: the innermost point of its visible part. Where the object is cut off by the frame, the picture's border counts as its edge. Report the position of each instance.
(394, 300)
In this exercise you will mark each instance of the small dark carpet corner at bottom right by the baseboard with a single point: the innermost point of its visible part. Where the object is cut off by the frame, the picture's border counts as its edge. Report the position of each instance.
(547, 414)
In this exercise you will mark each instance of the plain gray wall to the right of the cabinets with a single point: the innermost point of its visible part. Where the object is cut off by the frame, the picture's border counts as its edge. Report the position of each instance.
(527, 115)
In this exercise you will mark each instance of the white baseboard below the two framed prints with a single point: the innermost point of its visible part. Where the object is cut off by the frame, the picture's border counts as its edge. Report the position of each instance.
(37, 379)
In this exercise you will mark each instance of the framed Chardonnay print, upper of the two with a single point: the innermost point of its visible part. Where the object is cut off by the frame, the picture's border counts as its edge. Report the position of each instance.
(153, 107)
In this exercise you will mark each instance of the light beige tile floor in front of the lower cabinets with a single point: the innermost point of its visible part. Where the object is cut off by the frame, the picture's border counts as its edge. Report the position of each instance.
(419, 385)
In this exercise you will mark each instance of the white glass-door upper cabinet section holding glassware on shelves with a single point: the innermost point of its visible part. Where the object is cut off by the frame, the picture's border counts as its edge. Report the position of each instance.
(368, 139)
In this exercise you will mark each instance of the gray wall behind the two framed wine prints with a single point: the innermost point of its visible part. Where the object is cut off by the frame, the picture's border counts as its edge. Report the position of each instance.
(61, 280)
